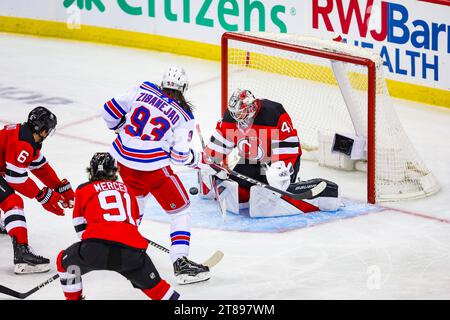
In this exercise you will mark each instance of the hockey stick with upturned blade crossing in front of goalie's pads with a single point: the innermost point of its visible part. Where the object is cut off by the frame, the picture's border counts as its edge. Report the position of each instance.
(308, 194)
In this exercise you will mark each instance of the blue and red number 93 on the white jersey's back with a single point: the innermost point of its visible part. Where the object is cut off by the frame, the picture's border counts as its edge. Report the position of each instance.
(139, 120)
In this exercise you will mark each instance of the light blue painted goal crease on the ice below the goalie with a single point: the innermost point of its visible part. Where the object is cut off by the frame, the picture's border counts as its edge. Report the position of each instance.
(205, 214)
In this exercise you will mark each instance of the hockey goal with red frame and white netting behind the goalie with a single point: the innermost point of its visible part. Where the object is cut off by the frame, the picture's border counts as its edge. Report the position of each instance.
(330, 88)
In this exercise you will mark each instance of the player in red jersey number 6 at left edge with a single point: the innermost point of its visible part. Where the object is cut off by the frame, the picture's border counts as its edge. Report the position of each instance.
(20, 150)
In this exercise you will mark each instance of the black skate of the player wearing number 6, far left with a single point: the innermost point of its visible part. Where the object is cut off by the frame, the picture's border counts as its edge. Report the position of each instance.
(26, 261)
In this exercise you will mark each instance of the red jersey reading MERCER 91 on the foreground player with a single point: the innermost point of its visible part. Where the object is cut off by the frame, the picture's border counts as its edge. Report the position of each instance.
(106, 210)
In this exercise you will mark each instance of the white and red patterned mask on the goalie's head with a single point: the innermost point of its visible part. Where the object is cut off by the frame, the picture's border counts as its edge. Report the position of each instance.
(243, 107)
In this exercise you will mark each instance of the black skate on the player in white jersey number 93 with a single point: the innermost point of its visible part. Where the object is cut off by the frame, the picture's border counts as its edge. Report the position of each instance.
(187, 271)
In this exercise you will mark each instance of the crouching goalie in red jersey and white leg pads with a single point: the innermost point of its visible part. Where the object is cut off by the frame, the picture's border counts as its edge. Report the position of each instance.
(270, 152)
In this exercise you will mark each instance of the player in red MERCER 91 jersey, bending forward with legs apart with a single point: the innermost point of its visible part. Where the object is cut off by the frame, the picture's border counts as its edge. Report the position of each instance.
(105, 219)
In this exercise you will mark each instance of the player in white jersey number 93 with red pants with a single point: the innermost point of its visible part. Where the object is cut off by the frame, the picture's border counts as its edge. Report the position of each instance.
(155, 126)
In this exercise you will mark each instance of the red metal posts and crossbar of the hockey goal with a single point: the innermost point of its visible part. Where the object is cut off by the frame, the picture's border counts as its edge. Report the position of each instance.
(371, 92)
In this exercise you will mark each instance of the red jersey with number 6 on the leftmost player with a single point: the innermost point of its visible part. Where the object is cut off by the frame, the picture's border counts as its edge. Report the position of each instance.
(19, 153)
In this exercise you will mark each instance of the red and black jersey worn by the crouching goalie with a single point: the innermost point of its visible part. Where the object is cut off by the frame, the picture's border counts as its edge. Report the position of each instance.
(270, 138)
